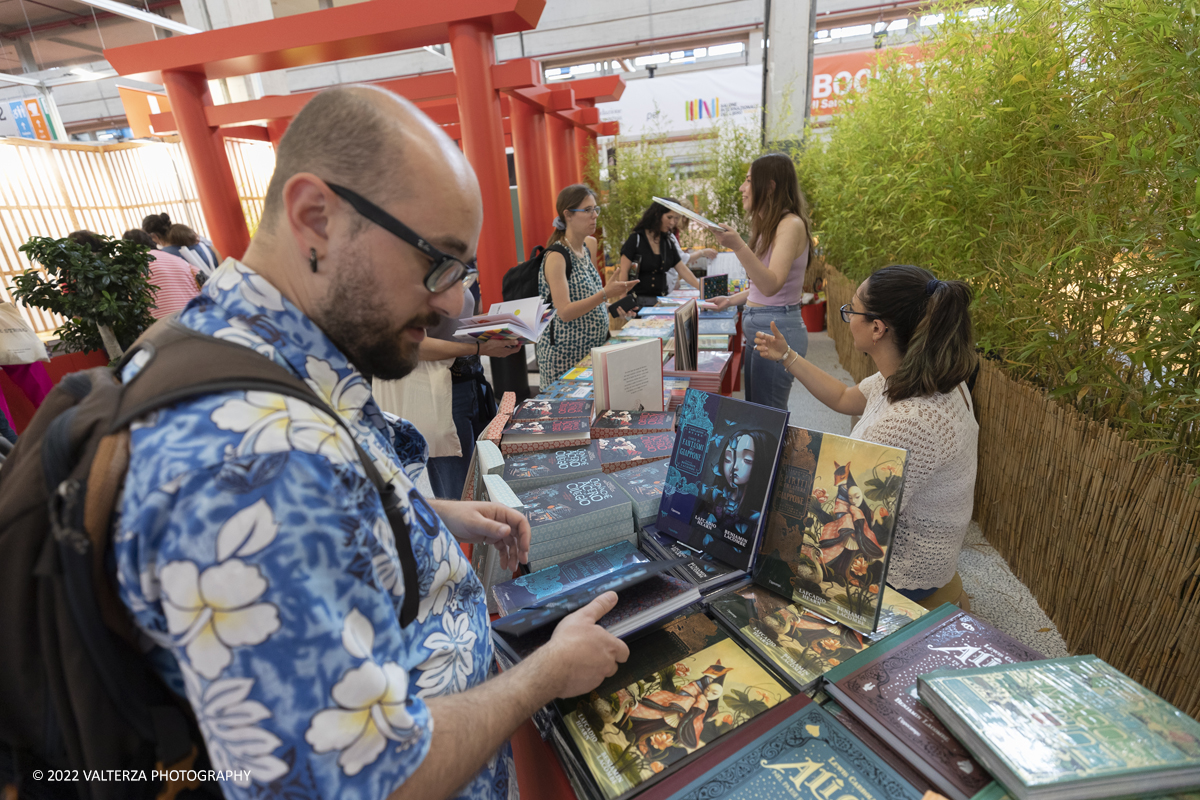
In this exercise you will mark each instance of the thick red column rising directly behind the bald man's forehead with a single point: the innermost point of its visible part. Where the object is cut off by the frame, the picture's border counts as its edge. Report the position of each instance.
(483, 141)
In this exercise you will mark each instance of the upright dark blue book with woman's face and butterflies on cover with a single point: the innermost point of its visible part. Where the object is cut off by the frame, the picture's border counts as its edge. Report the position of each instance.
(719, 482)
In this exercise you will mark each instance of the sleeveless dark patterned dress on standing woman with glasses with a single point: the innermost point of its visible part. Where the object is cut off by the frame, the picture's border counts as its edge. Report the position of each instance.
(573, 340)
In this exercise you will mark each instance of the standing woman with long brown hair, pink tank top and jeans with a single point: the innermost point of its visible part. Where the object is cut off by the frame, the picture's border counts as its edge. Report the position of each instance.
(776, 262)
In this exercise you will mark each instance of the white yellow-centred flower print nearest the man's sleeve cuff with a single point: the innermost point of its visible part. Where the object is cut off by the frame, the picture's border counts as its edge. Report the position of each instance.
(373, 706)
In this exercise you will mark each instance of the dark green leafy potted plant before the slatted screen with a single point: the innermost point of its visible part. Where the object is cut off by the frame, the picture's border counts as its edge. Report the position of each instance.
(105, 296)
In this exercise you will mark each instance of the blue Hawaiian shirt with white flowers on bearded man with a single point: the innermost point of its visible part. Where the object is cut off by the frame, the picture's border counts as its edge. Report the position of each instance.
(256, 557)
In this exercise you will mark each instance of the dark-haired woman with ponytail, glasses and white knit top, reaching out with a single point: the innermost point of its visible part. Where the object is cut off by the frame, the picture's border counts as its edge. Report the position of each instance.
(919, 333)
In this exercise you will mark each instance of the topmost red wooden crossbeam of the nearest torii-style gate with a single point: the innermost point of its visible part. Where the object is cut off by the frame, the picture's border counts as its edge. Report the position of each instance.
(319, 37)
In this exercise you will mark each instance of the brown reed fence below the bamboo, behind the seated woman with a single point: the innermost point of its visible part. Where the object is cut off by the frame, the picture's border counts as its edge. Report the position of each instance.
(1106, 536)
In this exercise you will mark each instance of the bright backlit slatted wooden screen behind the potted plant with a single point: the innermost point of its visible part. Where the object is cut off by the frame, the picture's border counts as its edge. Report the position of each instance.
(50, 189)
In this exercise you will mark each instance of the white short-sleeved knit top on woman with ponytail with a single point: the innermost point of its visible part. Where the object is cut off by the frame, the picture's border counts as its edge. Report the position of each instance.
(943, 440)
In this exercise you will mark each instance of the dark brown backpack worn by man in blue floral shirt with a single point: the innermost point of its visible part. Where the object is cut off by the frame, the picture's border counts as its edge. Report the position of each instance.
(77, 694)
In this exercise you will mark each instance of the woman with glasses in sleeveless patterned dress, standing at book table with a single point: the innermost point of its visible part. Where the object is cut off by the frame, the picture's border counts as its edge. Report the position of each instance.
(571, 281)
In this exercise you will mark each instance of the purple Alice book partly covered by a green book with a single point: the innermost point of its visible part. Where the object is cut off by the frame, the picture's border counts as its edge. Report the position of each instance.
(879, 687)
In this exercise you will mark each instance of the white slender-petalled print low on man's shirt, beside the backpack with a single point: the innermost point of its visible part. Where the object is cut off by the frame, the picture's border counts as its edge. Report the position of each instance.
(229, 723)
